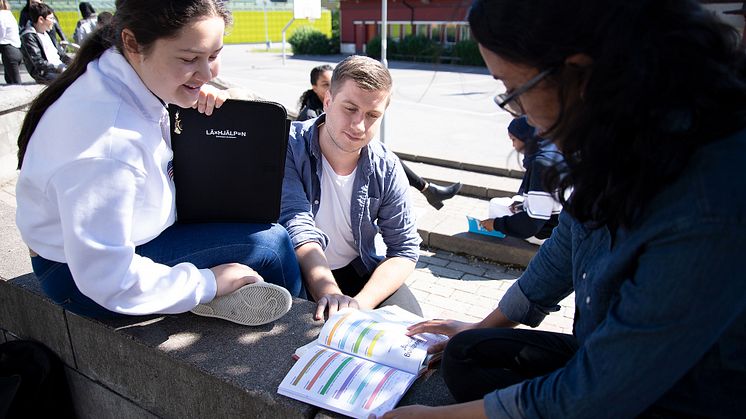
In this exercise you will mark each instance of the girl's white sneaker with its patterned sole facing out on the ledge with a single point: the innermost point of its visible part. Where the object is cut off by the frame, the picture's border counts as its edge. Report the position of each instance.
(251, 305)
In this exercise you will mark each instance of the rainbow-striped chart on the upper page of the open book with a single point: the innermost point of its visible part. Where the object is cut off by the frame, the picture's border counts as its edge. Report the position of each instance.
(360, 337)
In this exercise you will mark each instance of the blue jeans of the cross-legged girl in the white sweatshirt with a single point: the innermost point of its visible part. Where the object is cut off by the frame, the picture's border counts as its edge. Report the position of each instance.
(266, 248)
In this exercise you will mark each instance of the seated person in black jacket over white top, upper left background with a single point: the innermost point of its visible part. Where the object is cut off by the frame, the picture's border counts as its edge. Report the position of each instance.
(43, 59)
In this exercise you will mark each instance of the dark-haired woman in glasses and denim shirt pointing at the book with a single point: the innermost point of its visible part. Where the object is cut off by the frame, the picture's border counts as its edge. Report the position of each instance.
(647, 102)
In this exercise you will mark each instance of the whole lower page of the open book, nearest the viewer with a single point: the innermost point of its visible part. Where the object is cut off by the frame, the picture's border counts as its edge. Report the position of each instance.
(344, 383)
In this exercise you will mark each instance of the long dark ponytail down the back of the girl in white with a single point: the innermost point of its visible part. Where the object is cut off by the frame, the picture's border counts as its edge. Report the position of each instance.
(95, 45)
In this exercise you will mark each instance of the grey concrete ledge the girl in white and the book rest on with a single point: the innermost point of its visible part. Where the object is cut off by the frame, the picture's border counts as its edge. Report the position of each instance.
(175, 365)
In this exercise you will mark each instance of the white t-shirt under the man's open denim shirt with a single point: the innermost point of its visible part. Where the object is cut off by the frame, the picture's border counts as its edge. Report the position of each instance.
(333, 216)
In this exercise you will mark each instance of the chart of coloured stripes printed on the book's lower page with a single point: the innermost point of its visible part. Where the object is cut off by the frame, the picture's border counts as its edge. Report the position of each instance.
(348, 381)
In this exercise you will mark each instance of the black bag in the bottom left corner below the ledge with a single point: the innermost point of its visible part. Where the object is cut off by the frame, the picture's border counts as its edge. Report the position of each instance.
(32, 382)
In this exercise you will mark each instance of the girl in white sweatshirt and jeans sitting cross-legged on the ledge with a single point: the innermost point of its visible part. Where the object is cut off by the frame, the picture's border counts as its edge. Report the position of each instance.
(96, 201)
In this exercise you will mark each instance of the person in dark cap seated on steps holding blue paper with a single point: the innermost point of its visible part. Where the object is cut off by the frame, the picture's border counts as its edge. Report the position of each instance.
(535, 214)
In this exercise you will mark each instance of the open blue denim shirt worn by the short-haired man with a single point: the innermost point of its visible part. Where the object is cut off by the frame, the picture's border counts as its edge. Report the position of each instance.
(380, 198)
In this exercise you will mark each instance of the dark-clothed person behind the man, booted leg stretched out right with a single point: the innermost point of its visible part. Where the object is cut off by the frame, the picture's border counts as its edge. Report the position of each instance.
(311, 105)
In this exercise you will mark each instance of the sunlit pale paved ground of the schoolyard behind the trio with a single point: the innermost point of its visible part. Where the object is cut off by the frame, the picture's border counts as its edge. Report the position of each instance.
(455, 119)
